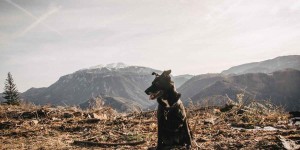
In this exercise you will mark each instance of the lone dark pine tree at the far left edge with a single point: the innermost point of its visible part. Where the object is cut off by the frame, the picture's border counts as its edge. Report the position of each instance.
(11, 93)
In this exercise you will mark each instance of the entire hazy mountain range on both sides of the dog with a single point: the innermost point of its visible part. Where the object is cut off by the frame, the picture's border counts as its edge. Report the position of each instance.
(122, 86)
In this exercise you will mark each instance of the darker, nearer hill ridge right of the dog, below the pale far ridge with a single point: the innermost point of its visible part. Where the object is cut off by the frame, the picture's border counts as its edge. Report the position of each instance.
(280, 87)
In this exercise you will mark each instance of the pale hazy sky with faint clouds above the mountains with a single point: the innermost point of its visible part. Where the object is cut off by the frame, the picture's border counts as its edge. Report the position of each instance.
(42, 40)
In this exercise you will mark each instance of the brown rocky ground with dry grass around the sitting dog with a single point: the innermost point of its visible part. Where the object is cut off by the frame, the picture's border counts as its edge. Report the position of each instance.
(233, 127)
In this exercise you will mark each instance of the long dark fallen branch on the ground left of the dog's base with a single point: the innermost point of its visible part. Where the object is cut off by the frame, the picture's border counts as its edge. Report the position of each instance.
(88, 143)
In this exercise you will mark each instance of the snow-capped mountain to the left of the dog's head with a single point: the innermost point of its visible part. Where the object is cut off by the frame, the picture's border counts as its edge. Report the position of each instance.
(113, 80)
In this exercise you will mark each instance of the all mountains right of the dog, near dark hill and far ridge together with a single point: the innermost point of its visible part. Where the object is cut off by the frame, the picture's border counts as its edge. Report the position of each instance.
(277, 80)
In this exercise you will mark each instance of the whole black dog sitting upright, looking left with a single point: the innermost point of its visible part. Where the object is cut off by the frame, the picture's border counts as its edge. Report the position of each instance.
(173, 128)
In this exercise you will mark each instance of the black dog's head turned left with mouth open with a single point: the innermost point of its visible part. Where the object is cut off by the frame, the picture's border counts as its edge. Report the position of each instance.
(160, 84)
